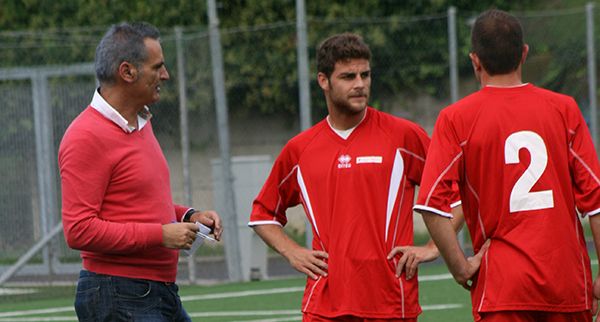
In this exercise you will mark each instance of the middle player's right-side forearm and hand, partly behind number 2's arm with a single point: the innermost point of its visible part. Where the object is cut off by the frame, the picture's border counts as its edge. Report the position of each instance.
(412, 256)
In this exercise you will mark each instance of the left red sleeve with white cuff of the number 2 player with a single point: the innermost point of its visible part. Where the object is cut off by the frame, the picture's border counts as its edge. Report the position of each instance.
(444, 159)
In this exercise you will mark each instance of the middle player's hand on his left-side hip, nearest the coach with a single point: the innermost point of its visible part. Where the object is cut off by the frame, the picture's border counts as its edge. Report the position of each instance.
(310, 262)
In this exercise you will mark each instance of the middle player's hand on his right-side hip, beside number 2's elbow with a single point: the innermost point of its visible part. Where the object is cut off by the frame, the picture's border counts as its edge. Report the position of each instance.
(412, 256)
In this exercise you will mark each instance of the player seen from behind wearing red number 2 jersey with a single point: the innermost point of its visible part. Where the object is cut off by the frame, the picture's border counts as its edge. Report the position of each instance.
(525, 165)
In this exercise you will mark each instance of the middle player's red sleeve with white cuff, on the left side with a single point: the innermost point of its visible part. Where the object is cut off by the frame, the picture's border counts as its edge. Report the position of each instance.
(279, 192)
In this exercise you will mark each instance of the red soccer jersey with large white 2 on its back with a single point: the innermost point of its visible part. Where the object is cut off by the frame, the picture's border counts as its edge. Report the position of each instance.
(524, 160)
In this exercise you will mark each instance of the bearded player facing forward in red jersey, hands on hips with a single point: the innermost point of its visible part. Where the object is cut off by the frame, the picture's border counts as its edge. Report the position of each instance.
(355, 174)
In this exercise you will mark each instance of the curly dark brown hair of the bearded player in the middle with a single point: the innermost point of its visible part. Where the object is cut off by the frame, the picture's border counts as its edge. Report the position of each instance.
(340, 47)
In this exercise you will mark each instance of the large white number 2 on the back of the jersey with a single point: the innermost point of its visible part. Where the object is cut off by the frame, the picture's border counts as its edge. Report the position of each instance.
(521, 196)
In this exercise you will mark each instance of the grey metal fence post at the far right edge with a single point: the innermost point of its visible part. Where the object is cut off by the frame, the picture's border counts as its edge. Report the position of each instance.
(591, 69)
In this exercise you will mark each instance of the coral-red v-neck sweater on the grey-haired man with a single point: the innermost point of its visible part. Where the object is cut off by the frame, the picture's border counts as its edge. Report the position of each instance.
(116, 196)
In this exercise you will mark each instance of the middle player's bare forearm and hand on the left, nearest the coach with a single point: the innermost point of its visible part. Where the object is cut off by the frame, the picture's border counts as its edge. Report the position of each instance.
(310, 262)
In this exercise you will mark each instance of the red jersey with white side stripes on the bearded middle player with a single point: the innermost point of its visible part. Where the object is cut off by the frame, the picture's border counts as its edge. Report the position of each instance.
(358, 195)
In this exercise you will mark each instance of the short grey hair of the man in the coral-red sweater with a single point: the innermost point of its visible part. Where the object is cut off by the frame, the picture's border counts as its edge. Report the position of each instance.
(122, 42)
